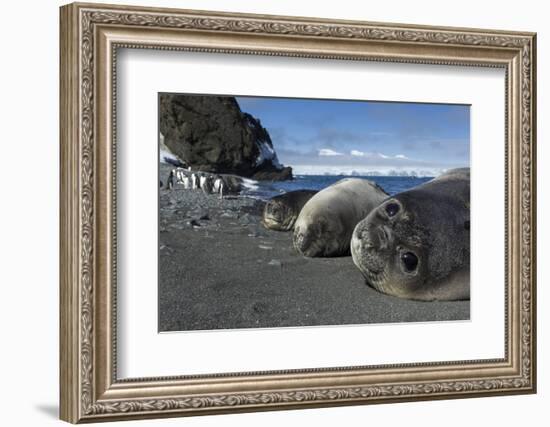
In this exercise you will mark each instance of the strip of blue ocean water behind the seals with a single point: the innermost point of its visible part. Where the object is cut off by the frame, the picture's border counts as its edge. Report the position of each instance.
(265, 190)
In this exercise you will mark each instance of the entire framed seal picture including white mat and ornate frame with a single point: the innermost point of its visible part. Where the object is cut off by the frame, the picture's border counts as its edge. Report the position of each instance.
(227, 174)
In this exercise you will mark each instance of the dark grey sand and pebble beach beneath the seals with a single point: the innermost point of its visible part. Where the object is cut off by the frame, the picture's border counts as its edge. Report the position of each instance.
(221, 269)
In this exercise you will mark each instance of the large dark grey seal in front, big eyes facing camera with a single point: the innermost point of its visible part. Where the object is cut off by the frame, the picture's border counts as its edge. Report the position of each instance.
(416, 245)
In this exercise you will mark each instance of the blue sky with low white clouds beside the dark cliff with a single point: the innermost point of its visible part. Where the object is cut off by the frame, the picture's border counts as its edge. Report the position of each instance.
(337, 135)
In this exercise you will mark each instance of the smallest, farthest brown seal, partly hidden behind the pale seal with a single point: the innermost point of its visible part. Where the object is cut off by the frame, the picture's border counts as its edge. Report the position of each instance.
(280, 212)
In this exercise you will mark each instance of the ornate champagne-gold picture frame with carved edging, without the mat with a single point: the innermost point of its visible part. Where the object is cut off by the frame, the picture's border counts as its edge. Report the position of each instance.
(90, 35)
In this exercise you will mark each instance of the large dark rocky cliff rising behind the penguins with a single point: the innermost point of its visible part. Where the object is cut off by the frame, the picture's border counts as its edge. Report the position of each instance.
(212, 134)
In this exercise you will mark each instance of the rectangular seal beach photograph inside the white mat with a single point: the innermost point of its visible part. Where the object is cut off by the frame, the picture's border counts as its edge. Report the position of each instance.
(282, 212)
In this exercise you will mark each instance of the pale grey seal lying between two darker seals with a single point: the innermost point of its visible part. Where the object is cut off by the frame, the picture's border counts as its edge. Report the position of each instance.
(326, 222)
